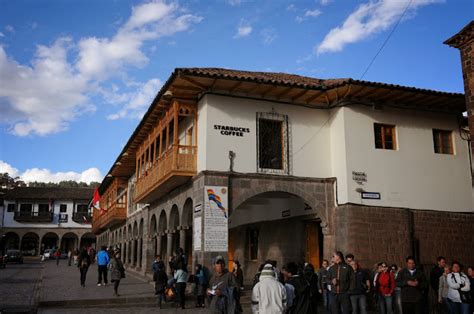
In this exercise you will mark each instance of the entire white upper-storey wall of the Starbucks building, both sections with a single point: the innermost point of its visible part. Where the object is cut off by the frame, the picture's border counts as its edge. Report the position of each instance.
(335, 143)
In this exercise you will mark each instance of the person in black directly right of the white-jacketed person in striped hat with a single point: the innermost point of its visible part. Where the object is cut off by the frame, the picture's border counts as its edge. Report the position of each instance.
(301, 303)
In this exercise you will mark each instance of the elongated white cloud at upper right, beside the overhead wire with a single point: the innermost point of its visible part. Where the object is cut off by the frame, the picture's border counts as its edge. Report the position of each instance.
(368, 19)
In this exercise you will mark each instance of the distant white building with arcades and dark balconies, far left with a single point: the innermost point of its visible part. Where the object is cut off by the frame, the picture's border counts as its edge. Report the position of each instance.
(35, 219)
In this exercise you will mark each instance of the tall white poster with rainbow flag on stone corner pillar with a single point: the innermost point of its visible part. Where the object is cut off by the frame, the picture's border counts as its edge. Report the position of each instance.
(216, 215)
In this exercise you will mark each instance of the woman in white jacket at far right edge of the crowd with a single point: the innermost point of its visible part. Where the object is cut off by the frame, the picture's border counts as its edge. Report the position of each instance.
(457, 281)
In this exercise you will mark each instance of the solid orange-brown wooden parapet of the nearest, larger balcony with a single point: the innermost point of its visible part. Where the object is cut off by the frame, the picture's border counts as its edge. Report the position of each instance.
(173, 168)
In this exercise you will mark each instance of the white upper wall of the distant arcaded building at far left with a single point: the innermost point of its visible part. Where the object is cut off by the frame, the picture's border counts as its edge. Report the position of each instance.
(10, 222)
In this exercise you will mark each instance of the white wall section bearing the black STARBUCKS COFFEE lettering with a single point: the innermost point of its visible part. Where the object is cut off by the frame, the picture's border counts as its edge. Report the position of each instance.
(310, 151)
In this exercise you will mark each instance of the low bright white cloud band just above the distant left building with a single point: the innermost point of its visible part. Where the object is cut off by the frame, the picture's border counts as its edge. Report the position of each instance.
(45, 175)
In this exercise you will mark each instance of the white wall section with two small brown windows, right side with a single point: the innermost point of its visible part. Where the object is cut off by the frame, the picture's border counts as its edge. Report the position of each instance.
(413, 175)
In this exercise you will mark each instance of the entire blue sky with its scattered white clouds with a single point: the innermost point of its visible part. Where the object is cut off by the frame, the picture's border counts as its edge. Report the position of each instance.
(76, 76)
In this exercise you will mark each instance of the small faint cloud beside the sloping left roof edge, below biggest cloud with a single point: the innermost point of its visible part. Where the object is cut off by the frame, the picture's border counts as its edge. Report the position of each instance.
(137, 102)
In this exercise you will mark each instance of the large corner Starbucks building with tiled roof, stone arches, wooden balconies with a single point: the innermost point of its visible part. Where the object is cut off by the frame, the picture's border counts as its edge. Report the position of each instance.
(258, 165)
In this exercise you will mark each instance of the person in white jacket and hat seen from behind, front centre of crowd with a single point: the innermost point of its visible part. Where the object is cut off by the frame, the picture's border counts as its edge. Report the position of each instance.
(268, 295)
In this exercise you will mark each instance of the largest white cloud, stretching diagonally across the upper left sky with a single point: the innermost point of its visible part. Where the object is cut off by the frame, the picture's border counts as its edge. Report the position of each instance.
(44, 95)
